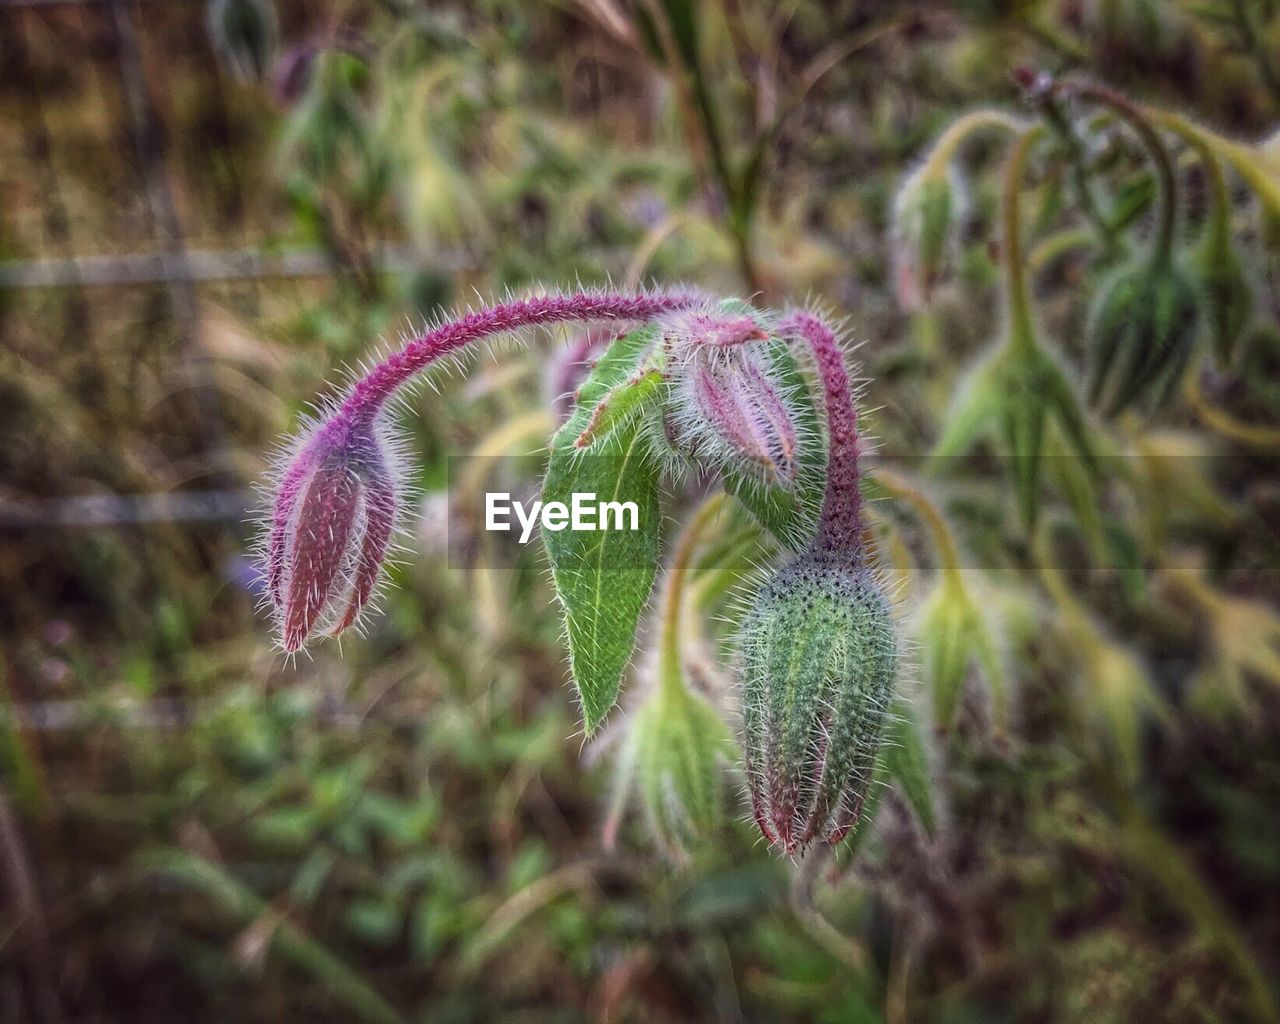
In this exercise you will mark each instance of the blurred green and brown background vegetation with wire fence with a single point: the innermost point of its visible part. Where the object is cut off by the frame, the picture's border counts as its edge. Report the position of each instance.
(209, 208)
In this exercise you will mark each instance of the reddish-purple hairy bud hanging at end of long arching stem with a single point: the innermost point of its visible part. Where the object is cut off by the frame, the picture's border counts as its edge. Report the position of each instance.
(332, 520)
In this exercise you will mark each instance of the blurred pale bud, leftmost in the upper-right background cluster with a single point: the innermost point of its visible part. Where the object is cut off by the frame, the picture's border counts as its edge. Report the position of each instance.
(924, 214)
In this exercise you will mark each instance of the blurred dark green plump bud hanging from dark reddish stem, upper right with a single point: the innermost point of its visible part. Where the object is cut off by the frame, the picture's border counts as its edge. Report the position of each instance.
(1144, 330)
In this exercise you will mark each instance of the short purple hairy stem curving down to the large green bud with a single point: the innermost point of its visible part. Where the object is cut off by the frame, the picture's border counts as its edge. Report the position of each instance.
(840, 527)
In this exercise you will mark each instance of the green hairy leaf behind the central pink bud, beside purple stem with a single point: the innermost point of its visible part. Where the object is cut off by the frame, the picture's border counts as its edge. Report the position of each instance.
(790, 514)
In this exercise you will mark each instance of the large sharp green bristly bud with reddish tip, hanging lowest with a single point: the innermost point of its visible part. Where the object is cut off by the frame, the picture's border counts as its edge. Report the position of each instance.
(819, 661)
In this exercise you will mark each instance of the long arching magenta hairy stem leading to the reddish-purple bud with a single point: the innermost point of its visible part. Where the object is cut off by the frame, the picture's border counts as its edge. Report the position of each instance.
(369, 395)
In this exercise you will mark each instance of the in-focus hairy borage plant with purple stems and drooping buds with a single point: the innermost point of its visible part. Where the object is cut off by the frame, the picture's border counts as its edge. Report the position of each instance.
(685, 383)
